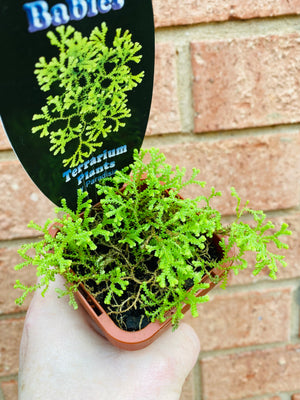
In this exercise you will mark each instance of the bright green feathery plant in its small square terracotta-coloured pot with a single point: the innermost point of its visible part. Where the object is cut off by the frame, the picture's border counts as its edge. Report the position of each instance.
(143, 255)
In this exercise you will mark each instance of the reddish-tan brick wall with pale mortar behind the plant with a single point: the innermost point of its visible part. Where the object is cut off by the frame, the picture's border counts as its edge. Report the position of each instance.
(227, 101)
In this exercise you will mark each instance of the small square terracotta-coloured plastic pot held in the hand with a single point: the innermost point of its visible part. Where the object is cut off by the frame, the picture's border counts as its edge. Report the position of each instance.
(142, 338)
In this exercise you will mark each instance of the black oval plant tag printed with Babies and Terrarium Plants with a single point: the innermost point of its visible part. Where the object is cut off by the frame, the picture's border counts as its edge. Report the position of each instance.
(76, 82)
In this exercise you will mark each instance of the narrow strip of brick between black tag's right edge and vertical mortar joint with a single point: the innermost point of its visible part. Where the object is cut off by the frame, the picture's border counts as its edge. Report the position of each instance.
(164, 116)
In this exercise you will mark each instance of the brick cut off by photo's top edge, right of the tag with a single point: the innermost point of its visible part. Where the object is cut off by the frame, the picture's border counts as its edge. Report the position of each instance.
(185, 12)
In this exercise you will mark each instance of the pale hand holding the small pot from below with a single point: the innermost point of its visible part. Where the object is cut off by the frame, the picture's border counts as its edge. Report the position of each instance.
(63, 358)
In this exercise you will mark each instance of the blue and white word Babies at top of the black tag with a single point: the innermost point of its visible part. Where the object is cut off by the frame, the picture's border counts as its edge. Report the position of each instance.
(40, 17)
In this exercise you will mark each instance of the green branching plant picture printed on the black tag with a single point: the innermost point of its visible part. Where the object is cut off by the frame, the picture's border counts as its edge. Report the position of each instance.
(93, 81)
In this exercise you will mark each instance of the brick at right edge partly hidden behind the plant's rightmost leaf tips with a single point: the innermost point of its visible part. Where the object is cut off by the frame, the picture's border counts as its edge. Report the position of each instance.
(292, 255)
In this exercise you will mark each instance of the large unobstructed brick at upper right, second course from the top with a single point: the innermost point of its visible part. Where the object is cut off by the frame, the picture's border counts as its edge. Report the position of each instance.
(248, 82)
